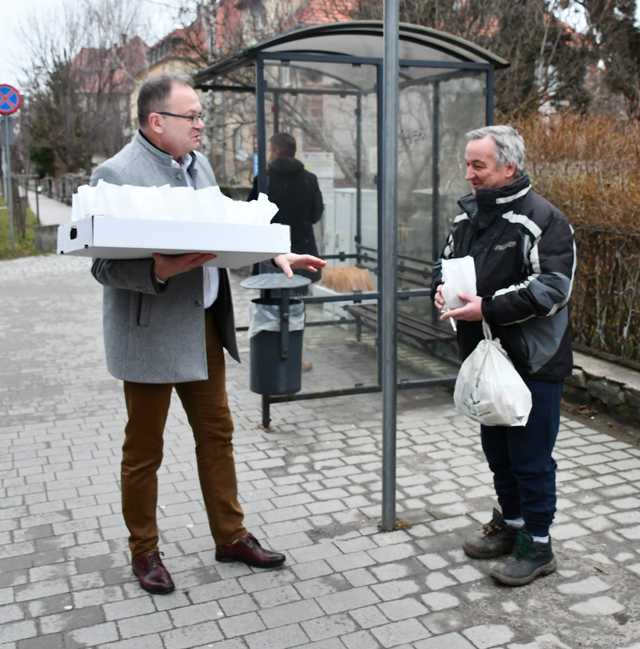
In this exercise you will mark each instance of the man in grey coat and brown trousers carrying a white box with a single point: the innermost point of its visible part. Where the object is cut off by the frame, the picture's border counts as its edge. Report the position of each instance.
(166, 321)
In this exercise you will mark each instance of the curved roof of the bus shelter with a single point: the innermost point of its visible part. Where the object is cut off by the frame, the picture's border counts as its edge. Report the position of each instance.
(358, 39)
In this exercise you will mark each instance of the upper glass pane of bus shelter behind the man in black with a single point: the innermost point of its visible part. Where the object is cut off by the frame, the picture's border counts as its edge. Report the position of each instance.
(335, 127)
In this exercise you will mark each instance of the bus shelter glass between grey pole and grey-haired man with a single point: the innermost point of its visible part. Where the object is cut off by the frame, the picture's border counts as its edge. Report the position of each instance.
(435, 114)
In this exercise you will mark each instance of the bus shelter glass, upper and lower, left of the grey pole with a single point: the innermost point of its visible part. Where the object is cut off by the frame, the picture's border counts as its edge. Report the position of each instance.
(335, 127)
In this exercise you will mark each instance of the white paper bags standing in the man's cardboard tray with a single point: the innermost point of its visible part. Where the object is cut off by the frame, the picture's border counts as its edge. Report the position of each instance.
(207, 205)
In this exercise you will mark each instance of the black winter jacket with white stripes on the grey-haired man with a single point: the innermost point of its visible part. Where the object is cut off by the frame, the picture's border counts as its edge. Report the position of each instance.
(525, 258)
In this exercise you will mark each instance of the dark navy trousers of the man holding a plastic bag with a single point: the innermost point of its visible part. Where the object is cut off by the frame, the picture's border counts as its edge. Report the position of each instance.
(524, 471)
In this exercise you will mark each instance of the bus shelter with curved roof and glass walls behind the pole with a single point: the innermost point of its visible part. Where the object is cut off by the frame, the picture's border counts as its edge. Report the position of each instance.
(324, 85)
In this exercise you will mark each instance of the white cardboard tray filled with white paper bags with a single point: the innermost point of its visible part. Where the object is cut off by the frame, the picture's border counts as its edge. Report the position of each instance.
(127, 222)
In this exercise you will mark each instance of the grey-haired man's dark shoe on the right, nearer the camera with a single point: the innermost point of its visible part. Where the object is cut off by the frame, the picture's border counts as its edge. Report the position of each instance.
(530, 559)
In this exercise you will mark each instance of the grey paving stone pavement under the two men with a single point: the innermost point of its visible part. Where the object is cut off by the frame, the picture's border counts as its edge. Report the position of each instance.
(311, 488)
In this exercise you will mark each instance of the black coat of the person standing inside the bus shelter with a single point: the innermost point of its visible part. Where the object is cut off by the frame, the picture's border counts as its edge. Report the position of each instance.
(296, 193)
